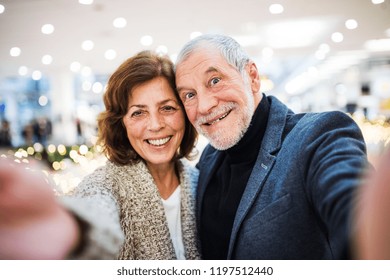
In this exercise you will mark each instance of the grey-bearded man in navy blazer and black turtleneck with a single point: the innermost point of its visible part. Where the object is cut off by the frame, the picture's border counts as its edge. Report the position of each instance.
(273, 184)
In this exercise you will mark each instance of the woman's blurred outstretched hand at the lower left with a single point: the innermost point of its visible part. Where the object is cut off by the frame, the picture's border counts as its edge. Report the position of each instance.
(33, 225)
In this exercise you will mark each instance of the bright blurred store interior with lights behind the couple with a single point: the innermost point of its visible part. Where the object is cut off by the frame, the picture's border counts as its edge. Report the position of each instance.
(56, 57)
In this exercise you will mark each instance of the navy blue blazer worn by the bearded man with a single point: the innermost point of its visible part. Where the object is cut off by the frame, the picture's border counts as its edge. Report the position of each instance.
(297, 201)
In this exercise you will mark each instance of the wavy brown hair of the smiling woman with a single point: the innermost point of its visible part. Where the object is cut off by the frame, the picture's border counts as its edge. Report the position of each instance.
(136, 70)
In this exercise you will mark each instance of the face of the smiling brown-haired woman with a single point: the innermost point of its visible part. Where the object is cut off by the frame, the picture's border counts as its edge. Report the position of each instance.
(154, 121)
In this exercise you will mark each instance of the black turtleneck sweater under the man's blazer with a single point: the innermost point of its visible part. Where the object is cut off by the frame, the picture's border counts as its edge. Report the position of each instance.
(224, 192)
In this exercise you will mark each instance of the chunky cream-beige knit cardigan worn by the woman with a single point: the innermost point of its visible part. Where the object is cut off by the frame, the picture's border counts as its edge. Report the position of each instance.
(124, 215)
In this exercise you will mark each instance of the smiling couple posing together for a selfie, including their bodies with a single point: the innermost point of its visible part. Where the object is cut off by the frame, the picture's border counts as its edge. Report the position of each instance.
(271, 184)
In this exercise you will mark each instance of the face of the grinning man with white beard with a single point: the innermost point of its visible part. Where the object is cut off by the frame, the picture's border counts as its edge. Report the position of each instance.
(217, 99)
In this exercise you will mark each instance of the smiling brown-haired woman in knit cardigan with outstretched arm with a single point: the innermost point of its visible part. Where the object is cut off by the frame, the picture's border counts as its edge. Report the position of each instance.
(140, 205)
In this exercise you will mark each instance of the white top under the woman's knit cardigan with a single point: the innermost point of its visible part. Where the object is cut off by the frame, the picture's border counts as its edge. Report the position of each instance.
(172, 212)
